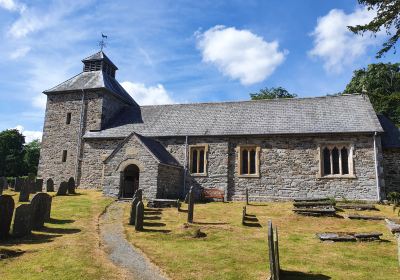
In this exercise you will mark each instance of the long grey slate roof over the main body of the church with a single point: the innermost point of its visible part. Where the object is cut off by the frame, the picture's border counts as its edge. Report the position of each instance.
(330, 114)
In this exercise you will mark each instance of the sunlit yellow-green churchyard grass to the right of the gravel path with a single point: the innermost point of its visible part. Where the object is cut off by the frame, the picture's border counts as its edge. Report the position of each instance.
(233, 251)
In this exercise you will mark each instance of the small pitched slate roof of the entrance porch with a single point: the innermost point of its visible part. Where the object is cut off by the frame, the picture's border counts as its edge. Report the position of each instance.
(154, 147)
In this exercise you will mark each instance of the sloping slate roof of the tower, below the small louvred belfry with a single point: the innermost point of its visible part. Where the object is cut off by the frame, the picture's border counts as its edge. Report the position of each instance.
(93, 80)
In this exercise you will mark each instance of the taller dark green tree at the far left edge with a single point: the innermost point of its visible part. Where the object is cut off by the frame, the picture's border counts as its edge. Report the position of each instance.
(11, 153)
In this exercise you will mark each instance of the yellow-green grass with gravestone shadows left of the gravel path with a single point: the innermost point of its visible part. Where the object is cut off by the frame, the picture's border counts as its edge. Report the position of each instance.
(68, 247)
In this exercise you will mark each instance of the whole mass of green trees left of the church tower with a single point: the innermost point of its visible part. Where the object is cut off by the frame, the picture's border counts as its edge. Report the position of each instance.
(17, 159)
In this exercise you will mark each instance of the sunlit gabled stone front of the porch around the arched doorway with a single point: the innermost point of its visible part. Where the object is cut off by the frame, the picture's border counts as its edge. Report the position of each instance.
(129, 152)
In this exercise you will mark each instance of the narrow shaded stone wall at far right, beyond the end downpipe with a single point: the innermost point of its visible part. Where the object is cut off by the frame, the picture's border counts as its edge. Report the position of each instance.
(391, 167)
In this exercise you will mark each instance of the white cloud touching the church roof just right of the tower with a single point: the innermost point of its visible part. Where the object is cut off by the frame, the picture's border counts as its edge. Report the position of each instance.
(153, 95)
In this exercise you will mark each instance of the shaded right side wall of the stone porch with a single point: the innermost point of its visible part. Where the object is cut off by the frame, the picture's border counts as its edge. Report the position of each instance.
(169, 182)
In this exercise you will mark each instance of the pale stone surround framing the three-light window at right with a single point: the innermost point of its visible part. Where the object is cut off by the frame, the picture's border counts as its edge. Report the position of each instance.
(339, 145)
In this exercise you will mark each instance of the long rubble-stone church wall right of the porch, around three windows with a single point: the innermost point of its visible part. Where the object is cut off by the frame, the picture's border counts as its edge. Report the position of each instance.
(289, 167)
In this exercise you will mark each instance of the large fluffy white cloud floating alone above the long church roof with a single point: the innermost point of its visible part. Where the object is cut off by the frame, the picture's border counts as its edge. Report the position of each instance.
(240, 54)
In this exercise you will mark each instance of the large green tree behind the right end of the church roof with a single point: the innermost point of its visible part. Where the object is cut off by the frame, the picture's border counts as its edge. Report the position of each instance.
(381, 82)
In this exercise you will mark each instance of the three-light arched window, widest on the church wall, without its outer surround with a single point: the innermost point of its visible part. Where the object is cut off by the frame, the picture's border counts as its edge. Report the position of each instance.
(336, 160)
